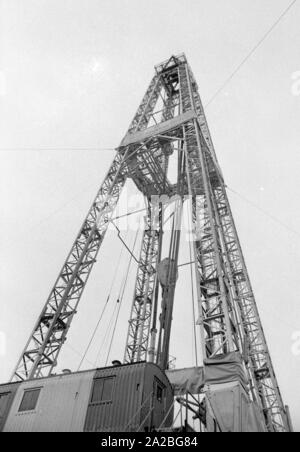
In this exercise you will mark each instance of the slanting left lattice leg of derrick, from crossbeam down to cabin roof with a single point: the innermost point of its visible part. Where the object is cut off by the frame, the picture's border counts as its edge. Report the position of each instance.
(50, 332)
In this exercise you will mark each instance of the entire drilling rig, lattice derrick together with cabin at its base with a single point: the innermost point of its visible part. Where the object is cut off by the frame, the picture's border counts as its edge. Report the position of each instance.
(235, 388)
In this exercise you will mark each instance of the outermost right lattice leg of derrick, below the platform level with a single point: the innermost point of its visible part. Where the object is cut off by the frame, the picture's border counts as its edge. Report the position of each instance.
(257, 357)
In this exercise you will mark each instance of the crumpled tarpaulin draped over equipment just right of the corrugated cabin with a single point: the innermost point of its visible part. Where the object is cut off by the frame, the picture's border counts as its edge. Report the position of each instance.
(219, 370)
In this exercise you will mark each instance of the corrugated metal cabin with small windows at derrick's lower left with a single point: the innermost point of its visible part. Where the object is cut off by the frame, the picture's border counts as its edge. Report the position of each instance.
(134, 397)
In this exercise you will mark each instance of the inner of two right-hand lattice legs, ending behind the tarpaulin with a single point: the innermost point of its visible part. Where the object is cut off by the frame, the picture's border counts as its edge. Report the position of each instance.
(217, 313)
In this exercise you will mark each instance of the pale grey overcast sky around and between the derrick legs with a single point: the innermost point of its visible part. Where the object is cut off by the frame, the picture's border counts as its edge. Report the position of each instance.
(72, 74)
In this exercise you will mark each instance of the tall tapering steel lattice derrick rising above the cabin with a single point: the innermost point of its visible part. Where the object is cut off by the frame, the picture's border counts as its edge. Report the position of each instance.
(170, 119)
